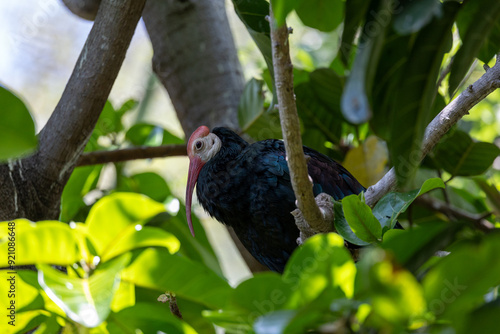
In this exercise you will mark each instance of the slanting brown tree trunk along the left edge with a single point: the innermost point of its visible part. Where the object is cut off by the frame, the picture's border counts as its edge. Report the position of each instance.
(32, 187)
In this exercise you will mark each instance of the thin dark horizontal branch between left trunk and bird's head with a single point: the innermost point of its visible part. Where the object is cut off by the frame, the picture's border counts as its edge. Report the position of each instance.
(132, 153)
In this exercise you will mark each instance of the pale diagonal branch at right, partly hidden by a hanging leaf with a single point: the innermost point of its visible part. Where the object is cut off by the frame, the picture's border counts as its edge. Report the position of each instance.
(441, 124)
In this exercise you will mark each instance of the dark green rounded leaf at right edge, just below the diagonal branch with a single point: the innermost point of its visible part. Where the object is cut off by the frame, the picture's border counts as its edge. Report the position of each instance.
(460, 156)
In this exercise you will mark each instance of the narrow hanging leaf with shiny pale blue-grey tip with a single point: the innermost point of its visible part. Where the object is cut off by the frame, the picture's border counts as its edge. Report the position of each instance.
(355, 98)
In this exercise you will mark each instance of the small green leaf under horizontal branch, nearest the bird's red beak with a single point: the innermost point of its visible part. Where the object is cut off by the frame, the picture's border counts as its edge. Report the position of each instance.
(149, 184)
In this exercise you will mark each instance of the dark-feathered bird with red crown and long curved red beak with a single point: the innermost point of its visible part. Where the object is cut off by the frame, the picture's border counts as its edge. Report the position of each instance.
(247, 186)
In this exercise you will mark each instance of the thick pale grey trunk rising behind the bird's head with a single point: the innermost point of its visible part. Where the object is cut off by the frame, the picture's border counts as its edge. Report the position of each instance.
(196, 60)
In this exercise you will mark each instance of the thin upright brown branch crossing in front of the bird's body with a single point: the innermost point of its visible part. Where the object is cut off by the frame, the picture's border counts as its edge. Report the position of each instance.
(283, 76)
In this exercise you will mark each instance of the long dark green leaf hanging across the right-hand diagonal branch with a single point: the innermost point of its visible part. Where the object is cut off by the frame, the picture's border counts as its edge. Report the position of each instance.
(415, 94)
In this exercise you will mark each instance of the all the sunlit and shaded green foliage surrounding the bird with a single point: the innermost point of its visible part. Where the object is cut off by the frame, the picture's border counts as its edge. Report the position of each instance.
(121, 247)
